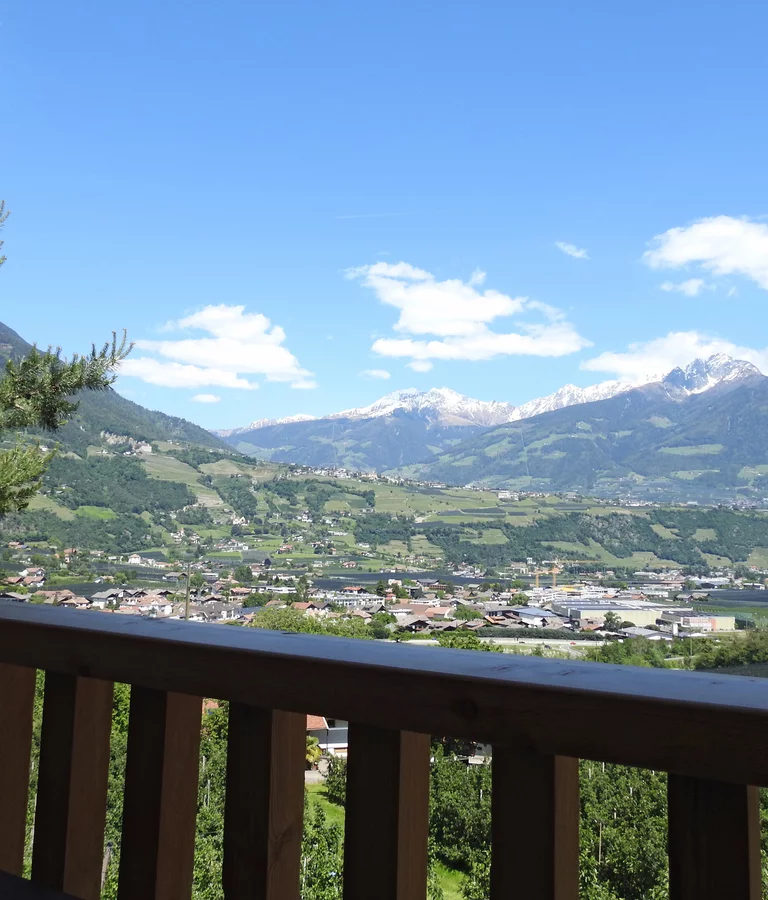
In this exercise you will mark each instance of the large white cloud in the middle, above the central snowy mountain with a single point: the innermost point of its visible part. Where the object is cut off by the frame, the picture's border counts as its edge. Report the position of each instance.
(459, 315)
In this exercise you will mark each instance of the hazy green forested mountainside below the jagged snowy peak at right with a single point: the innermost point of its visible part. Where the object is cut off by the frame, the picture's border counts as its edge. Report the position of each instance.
(646, 442)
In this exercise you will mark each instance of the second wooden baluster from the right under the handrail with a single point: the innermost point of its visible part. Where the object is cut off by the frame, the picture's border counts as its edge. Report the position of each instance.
(535, 800)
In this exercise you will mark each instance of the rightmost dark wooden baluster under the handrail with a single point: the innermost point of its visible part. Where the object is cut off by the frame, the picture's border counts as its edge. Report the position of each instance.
(714, 840)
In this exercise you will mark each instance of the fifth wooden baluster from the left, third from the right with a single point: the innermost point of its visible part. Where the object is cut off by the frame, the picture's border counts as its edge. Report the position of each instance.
(387, 815)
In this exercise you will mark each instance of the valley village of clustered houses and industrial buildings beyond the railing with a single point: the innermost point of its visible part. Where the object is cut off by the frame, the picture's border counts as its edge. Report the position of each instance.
(657, 608)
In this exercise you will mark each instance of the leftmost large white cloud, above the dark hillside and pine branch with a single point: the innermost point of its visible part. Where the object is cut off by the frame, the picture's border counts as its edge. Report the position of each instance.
(235, 344)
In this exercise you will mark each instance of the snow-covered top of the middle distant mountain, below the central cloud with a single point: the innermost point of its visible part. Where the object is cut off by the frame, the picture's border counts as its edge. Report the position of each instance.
(438, 405)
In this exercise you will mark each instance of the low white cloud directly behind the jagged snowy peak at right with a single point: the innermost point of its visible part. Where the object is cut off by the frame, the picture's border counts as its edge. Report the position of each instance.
(645, 359)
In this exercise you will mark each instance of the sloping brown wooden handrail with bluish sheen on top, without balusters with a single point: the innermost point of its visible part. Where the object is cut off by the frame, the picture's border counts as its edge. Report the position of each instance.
(704, 725)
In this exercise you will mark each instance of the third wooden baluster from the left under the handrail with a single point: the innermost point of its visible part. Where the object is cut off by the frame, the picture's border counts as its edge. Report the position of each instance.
(160, 804)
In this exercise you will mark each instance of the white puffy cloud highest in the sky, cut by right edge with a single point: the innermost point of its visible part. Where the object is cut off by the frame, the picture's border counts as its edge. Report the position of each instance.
(722, 245)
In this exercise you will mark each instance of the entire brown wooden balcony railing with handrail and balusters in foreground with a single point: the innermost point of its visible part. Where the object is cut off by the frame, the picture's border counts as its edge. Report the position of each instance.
(709, 732)
